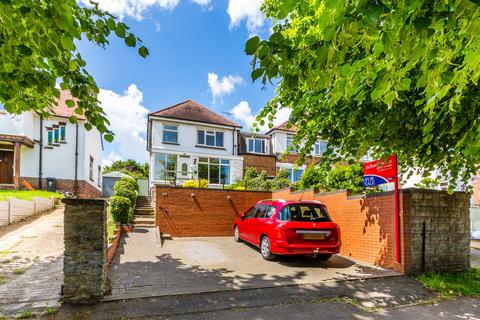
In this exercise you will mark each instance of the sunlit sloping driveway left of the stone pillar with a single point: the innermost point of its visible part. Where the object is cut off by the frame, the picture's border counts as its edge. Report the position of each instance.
(31, 263)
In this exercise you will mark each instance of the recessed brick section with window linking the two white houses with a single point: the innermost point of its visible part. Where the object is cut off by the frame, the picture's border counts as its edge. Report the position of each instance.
(257, 152)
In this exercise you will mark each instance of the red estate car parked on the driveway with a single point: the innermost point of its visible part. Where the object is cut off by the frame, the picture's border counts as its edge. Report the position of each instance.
(280, 227)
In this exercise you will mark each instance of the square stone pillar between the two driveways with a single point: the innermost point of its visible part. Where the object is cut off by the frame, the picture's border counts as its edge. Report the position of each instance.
(85, 250)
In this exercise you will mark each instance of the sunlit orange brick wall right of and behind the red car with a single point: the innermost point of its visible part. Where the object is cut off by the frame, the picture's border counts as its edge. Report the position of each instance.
(366, 223)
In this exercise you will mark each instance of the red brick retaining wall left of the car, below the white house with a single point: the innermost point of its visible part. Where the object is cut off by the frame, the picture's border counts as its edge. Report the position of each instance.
(208, 213)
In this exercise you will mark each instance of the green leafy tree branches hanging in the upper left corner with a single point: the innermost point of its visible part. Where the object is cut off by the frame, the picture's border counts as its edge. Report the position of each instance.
(38, 50)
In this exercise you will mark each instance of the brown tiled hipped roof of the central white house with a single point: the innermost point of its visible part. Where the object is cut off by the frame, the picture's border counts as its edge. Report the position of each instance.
(191, 111)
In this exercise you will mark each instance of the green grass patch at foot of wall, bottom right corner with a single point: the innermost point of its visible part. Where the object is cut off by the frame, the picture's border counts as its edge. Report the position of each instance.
(449, 285)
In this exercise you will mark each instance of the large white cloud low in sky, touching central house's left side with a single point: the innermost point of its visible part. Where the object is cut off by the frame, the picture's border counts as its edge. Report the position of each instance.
(128, 120)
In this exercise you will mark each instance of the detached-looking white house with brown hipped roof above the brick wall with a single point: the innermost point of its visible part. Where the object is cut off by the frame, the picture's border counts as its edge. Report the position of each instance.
(189, 141)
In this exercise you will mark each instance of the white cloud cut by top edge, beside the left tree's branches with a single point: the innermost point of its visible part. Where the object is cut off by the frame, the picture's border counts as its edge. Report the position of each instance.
(132, 8)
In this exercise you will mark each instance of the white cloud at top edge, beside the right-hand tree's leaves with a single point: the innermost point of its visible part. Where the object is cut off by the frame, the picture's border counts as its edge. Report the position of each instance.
(248, 10)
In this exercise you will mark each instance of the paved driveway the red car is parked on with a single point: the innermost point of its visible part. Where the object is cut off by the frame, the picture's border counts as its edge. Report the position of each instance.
(142, 268)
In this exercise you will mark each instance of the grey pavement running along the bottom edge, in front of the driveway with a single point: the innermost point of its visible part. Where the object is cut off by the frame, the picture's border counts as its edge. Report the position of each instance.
(397, 297)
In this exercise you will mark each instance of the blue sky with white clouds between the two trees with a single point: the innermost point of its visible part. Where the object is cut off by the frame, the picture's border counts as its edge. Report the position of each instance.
(196, 52)
